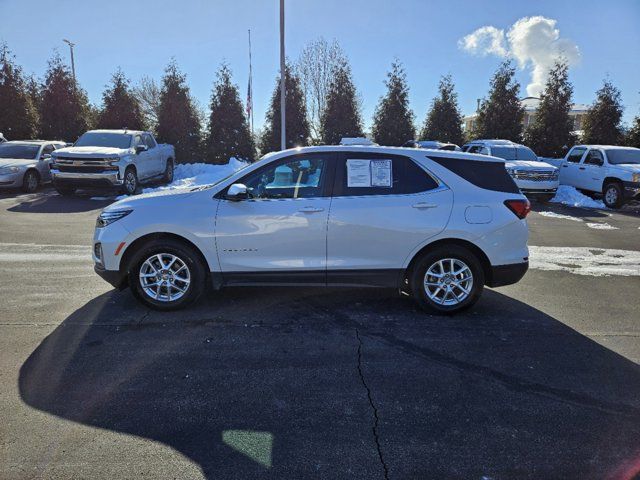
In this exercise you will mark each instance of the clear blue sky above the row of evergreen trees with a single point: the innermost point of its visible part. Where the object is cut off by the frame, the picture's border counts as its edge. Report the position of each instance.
(141, 36)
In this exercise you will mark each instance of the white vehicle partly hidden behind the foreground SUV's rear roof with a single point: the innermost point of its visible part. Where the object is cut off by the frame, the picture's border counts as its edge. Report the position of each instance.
(535, 178)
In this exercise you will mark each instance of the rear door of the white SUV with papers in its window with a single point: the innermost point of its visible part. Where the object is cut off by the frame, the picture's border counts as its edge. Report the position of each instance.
(379, 217)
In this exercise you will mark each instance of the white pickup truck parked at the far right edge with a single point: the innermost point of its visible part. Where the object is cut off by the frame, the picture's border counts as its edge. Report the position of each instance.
(609, 170)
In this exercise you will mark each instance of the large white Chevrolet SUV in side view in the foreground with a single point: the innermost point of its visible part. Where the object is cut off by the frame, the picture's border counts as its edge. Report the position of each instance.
(437, 224)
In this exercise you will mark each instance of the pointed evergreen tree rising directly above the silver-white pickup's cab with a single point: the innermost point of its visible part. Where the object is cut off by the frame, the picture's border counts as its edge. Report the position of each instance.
(121, 108)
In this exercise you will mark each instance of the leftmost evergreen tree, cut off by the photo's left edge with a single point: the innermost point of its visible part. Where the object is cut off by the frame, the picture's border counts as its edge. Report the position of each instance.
(18, 115)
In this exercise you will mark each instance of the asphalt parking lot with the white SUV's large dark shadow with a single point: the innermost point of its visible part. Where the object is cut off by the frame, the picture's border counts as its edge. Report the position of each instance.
(540, 380)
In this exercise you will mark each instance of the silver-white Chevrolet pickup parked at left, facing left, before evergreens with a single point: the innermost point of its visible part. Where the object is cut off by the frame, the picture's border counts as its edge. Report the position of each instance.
(112, 158)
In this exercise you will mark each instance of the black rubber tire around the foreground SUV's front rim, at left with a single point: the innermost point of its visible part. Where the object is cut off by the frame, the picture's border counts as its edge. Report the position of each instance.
(184, 253)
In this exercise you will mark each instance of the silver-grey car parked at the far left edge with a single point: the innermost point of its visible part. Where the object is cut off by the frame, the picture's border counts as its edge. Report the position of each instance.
(25, 164)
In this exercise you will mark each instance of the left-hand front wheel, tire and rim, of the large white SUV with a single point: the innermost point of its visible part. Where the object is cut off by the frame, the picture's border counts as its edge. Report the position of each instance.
(167, 275)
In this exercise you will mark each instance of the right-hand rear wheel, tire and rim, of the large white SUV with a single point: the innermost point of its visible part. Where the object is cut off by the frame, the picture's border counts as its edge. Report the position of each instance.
(447, 280)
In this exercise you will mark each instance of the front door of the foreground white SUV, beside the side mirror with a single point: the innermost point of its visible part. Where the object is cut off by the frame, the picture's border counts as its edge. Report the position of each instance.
(279, 233)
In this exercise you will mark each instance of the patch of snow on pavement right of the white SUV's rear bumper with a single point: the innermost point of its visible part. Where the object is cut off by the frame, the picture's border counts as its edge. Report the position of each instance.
(596, 262)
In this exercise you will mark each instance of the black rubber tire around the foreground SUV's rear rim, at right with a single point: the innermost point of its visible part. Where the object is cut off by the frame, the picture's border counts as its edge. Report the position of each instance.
(418, 277)
